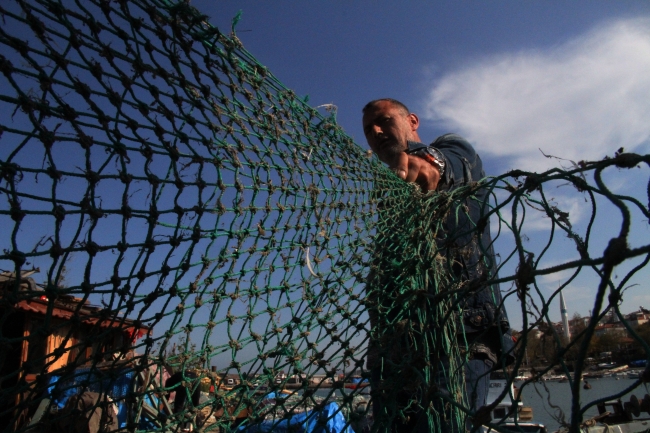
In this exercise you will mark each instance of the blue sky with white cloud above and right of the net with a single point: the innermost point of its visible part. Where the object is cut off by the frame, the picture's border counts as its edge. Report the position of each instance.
(520, 80)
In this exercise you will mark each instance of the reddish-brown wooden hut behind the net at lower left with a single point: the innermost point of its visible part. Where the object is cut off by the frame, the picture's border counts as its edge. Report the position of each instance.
(43, 337)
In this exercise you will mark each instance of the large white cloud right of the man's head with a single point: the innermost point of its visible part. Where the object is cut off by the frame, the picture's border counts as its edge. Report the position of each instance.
(580, 100)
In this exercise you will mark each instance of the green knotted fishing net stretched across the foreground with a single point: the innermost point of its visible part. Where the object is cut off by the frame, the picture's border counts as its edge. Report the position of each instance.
(176, 222)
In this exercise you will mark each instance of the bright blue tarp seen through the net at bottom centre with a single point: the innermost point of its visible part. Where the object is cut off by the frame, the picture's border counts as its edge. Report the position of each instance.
(328, 420)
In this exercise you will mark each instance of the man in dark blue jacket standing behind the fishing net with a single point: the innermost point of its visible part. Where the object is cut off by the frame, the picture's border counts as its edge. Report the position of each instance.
(448, 163)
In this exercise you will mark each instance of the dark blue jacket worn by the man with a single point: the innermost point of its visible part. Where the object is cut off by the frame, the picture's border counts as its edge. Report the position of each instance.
(471, 256)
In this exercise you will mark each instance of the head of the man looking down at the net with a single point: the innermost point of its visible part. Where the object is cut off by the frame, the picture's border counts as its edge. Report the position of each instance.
(387, 128)
